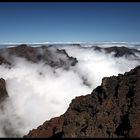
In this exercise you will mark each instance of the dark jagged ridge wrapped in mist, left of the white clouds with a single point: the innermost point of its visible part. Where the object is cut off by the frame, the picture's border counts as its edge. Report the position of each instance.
(54, 57)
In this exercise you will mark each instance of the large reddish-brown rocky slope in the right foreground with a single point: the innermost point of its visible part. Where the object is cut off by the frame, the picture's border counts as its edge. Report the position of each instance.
(112, 110)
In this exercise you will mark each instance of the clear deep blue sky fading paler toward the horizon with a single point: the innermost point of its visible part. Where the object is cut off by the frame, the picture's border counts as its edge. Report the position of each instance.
(66, 22)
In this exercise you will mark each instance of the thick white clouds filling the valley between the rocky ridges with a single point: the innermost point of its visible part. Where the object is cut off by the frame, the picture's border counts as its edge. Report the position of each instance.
(38, 92)
